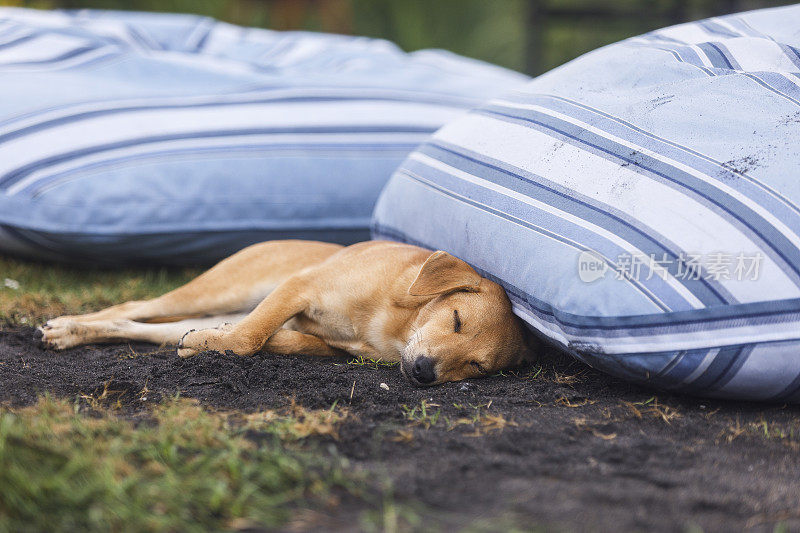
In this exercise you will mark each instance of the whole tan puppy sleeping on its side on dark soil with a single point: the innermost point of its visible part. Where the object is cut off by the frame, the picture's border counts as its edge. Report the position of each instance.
(384, 300)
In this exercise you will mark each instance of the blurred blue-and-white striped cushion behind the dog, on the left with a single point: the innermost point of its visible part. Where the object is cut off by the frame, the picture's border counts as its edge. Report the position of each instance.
(133, 136)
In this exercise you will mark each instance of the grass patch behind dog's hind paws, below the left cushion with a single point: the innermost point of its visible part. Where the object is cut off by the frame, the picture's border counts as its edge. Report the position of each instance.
(31, 292)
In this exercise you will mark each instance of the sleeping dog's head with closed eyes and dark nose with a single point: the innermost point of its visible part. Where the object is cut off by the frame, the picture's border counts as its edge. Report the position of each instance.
(466, 330)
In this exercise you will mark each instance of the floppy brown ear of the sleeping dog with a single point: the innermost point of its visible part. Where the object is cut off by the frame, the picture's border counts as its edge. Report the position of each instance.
(442, 273)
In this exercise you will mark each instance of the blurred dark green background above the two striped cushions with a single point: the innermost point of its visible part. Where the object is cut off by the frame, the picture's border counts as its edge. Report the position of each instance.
(531, 36)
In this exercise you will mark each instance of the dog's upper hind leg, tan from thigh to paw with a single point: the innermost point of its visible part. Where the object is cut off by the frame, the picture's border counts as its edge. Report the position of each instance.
(236, 284)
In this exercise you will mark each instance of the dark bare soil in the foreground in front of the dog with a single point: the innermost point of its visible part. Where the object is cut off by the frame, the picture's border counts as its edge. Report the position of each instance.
(555, 445)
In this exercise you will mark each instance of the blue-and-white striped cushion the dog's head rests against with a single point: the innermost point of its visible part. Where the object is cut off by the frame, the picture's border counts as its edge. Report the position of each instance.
(641, 204)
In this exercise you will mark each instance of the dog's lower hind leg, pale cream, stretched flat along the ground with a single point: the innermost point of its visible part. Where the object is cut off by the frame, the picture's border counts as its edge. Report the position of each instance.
(69, 333)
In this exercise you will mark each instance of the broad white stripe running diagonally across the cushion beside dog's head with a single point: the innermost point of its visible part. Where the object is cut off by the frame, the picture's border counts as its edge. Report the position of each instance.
(536, 152)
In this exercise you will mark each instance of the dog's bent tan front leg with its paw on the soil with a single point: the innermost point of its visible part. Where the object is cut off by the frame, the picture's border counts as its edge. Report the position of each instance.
(250, 335)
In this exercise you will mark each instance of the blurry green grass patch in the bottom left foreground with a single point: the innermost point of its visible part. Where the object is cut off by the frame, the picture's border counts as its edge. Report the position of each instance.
(183, 468)
